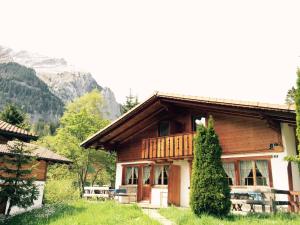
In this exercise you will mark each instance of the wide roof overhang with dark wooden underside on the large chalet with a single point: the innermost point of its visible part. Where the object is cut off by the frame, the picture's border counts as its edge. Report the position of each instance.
(154, 108)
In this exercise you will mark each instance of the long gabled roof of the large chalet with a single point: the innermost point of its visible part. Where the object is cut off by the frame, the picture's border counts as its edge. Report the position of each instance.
(159, 100)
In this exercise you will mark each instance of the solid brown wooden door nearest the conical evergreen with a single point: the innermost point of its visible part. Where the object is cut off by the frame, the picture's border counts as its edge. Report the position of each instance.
(174, 185)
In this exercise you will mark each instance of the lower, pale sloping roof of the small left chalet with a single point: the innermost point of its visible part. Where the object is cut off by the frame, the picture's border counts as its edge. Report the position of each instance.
(37, 151)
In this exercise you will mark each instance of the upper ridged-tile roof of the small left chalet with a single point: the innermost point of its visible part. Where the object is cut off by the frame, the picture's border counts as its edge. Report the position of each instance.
(9, 129)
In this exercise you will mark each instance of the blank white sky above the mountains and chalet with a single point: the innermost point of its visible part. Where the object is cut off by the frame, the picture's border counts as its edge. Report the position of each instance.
(236, 49)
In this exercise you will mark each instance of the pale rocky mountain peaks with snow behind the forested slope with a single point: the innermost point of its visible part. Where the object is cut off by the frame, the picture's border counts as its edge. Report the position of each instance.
(65, 81)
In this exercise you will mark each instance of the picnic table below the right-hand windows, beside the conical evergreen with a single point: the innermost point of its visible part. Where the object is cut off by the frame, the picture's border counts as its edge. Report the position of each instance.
(252, 198)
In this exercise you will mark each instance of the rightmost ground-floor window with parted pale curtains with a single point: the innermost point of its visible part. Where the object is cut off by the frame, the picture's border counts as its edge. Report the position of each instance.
(254, 173)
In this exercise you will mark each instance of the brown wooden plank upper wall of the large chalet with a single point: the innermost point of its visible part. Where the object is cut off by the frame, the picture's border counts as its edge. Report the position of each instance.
(236, 134)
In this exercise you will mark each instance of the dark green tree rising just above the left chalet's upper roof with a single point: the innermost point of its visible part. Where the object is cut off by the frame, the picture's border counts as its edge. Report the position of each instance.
(15, 116)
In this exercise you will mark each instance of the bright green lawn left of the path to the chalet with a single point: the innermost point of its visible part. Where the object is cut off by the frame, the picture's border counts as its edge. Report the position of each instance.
(83, 213)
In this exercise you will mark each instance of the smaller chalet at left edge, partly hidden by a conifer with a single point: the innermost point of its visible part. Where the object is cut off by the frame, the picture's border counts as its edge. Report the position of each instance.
(8, 134)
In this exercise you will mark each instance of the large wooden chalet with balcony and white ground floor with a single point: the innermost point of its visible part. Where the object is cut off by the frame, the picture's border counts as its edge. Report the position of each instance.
(154, 145)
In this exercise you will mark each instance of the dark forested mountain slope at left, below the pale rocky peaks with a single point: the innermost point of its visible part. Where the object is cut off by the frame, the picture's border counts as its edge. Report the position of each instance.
(20, 85)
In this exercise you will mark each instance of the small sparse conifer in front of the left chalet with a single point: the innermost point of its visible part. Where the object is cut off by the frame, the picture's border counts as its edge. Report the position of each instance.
(17, 182)
